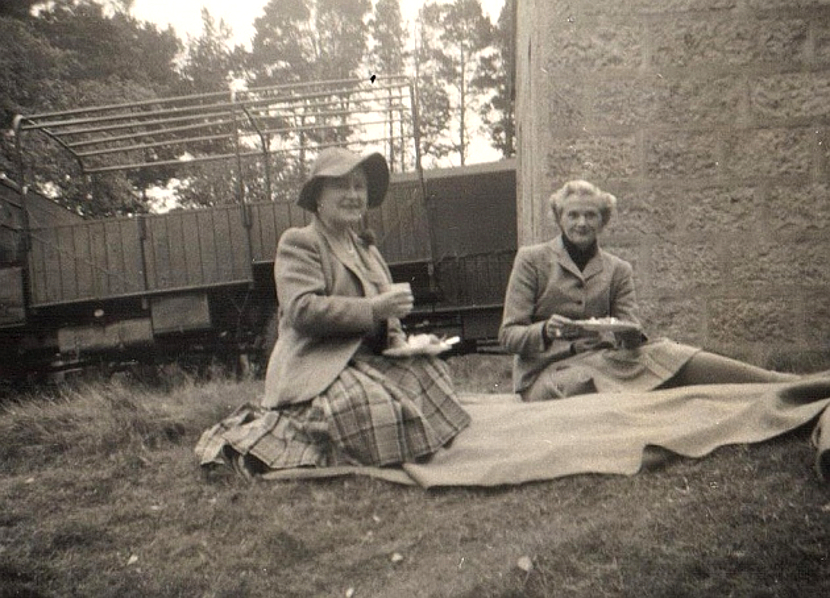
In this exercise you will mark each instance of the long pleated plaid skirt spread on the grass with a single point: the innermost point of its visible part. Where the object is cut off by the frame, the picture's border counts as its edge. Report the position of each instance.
(379, 411)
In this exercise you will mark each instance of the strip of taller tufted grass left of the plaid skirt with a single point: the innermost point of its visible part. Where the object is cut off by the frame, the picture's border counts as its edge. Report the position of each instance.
(108, 418)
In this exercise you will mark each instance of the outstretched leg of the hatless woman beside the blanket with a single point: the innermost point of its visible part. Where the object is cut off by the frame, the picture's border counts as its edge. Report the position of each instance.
(709, 368)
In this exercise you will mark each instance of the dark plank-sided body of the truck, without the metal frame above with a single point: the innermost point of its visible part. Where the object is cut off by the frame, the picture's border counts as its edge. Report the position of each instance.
(199, 283)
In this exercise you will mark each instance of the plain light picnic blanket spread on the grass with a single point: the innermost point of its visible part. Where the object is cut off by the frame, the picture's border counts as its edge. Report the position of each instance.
(511, 442)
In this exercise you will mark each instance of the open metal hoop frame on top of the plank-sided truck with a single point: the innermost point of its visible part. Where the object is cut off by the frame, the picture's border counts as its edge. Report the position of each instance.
(257, 122)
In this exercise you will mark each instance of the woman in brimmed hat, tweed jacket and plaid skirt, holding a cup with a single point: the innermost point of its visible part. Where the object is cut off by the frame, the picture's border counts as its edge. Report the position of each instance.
(339, 399)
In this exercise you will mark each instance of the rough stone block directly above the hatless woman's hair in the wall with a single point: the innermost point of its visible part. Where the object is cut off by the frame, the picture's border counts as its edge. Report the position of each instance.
(592, 157)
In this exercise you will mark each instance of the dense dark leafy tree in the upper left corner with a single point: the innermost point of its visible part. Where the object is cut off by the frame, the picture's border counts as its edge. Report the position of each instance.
(72, 54)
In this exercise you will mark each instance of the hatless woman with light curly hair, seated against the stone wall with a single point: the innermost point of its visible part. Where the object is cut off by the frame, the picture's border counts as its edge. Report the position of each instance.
(570, 316)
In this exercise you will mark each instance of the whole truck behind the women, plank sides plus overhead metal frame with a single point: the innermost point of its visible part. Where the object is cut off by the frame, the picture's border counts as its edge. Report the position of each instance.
(199, 283)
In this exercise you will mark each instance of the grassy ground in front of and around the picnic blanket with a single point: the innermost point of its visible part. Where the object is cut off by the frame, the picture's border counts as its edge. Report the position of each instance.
(101, 496)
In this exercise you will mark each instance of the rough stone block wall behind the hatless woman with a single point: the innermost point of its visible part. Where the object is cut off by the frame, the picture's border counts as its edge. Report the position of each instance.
(710, 121)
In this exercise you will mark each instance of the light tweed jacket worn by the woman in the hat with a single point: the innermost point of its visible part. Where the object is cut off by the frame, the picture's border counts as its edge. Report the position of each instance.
(324, 313)
